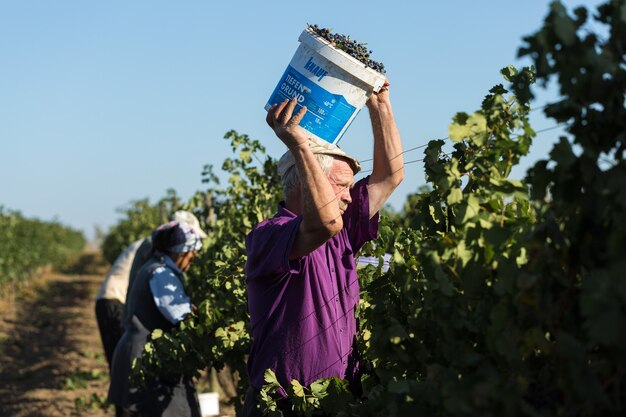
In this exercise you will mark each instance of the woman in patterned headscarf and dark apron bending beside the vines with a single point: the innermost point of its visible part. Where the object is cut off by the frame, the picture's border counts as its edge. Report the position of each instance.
(156, 300)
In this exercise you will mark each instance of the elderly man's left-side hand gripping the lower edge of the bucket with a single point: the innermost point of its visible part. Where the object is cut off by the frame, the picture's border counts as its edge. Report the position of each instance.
(286, 127)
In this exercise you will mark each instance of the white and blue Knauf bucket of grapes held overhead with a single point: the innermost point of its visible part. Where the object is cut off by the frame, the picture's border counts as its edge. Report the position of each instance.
(333, 86)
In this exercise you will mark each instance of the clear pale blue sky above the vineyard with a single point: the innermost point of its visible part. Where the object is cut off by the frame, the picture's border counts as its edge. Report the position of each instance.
(106, 102)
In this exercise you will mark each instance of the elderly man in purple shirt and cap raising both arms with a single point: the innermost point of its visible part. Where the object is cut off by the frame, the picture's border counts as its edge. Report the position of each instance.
(301, 273)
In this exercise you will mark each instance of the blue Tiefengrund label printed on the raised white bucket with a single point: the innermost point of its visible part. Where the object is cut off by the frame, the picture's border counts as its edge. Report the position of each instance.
(327, 114)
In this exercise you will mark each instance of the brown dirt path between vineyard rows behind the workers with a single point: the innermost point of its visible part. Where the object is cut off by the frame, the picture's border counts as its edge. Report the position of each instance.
(51, 360)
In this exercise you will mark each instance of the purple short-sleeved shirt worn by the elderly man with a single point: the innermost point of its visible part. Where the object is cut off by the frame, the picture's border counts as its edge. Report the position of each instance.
(302, 311)
